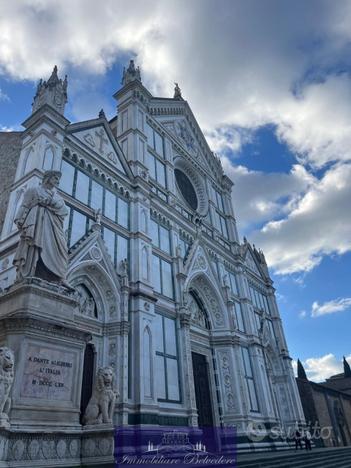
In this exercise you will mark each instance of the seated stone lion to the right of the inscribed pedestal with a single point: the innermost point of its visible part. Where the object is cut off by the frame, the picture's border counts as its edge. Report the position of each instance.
(102, 402)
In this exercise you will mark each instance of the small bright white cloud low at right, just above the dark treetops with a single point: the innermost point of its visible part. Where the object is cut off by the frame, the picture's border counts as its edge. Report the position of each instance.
(321, 368)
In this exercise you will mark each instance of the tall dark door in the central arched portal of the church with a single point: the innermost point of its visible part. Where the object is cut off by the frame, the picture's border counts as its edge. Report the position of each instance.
(202, 390)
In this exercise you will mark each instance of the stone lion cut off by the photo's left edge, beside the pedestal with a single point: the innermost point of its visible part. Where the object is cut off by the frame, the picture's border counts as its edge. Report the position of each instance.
(7, 363)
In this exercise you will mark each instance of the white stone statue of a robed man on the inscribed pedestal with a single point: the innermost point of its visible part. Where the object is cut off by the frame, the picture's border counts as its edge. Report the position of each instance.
(42, 249)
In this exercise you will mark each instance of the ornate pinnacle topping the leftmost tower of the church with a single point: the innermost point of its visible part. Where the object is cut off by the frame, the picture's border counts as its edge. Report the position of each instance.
(52, 92)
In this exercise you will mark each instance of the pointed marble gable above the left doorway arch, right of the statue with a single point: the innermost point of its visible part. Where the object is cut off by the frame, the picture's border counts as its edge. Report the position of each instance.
(92, 248)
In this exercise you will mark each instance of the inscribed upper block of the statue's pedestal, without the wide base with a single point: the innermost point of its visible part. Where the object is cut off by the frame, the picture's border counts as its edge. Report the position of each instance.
(37, 323)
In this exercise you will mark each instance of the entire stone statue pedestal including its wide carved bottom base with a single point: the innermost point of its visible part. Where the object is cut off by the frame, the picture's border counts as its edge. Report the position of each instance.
(37, 323)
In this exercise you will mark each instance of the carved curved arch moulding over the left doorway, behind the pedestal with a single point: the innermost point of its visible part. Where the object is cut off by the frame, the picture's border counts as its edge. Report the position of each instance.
(102, 288)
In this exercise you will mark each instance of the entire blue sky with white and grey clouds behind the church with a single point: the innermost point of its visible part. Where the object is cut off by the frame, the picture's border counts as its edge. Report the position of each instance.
(270, 84)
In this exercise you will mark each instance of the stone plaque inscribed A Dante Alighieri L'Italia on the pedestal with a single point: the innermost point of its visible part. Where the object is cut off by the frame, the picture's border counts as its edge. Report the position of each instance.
(48, 373)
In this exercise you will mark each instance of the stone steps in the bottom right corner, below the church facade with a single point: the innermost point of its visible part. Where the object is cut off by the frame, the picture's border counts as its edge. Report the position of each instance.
(318, 458)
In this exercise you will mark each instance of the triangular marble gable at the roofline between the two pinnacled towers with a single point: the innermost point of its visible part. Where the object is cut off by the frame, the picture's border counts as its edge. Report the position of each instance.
(97, 137)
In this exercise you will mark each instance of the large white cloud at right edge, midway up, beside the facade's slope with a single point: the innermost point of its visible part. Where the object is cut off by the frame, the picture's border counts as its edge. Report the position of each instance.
(318, 225)
